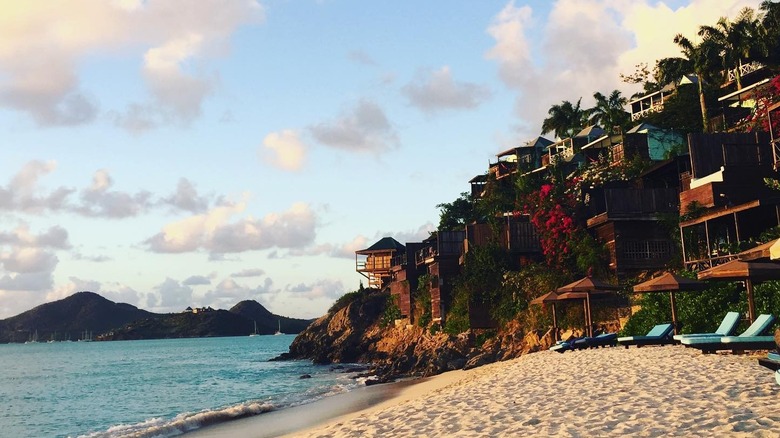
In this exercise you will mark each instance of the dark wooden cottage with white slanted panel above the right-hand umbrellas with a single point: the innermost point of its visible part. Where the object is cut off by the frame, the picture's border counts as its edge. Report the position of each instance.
(725, 200)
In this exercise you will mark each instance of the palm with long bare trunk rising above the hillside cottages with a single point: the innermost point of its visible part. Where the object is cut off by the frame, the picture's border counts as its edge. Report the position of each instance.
(699, 59)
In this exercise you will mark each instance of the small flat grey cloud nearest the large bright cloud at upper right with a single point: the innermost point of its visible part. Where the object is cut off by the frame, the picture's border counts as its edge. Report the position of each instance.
(438, 91)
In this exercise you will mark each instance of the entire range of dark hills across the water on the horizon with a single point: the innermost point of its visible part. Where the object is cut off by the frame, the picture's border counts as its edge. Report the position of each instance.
(106, 320)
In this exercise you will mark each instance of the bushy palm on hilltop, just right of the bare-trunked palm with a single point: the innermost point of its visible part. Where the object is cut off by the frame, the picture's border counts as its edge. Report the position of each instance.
(738, 40)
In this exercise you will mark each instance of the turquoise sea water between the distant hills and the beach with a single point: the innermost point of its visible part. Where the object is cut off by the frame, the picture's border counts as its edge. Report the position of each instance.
(153, 388)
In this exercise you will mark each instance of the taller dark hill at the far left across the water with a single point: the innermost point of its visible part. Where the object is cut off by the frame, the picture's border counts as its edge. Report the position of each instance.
(69, 318)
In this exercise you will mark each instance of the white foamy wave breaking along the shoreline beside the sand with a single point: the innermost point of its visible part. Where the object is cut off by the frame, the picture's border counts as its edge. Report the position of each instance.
(162, 428)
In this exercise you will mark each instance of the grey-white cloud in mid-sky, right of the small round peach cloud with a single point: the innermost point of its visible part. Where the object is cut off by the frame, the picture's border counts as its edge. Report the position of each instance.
(363, 128)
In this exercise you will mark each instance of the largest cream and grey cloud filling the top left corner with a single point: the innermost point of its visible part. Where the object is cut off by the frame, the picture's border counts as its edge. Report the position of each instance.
(41, 46)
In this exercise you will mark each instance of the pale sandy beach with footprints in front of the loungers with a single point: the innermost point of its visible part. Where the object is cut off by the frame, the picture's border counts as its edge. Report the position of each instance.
(650, 391)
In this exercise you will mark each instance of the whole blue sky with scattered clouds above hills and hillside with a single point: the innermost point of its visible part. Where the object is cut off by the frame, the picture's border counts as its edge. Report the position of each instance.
(175, 153)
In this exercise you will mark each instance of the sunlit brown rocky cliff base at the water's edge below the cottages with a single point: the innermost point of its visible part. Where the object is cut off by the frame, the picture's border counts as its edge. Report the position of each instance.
(356, 334)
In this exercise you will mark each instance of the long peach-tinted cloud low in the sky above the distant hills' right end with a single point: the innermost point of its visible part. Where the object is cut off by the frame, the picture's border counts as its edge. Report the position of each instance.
(211, 231)
